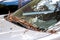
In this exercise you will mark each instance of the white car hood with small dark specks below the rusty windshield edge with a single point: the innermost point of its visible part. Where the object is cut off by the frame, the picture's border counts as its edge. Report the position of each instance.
(10, 31)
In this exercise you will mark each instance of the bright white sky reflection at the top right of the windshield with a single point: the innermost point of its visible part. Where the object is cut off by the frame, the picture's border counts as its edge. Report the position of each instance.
(47, 3)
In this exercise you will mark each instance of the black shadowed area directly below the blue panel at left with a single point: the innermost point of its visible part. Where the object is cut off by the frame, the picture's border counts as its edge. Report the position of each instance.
(4, 9)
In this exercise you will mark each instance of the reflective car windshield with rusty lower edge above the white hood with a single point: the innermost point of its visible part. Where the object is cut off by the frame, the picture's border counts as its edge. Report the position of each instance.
(40, 16)
